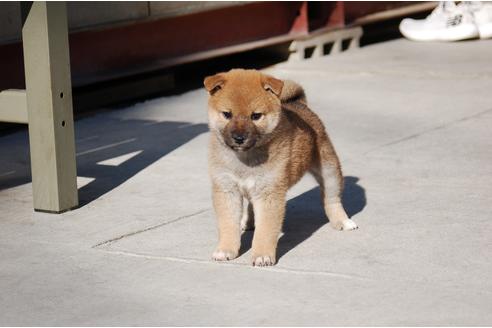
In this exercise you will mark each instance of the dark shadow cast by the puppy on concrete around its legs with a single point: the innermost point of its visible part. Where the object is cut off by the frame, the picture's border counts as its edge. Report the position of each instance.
(305, 215)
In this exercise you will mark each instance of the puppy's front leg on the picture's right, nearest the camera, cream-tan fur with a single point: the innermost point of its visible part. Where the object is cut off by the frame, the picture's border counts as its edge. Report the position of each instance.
(269, 216)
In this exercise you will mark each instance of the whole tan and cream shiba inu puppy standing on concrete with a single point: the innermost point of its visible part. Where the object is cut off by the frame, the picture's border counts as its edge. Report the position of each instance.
(264, 138)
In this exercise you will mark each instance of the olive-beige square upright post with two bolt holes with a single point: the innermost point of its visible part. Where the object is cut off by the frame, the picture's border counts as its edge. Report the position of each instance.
(49, 104)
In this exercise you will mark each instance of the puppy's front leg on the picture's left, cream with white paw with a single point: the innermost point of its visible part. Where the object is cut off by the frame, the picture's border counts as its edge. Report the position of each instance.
(228, 206)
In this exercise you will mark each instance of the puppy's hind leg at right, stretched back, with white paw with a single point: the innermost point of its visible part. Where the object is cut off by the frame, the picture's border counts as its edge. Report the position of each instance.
(330, 178)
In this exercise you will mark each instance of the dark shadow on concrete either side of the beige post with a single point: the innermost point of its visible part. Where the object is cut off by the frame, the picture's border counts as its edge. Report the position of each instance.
(109, 152)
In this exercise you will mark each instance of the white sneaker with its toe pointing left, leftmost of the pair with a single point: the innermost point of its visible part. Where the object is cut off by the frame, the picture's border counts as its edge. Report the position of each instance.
(447, 22)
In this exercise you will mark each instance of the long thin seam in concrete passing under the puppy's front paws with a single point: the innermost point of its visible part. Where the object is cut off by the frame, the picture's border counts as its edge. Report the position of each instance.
(239, 265)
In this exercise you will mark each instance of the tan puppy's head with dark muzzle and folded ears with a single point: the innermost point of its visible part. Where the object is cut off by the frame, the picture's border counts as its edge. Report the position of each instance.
(244, 107)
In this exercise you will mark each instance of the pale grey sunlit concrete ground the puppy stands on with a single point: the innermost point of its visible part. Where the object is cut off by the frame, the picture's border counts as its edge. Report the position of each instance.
(412, 123)
